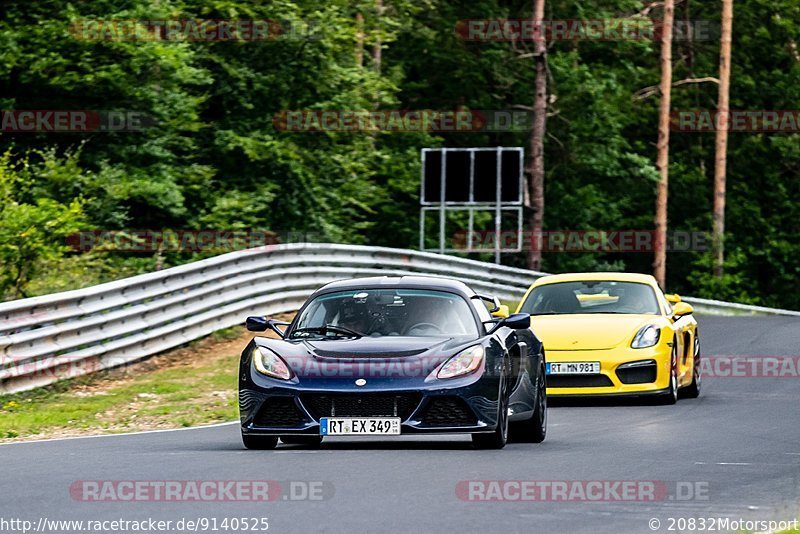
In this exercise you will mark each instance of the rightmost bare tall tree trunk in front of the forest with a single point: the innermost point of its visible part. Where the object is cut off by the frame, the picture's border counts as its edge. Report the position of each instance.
(720, 158)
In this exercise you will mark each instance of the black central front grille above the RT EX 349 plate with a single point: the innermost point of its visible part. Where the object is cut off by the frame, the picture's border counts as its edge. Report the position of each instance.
(366, 405)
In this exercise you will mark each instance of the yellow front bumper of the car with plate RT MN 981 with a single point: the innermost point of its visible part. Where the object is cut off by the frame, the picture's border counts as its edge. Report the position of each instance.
(610, 379)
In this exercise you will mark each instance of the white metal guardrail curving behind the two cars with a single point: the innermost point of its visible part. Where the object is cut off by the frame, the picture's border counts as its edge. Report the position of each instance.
(48, 338)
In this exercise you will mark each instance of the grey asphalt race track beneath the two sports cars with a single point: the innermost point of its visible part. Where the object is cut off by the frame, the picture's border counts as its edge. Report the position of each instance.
(733, 453)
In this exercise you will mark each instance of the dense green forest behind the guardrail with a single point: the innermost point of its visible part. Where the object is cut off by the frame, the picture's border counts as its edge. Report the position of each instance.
(211, 155)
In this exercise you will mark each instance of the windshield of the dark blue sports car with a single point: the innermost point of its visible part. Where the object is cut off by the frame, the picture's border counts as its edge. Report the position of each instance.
(386, 312)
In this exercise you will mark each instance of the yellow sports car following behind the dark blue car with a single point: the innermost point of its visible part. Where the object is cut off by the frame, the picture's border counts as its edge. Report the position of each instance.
(614, 334)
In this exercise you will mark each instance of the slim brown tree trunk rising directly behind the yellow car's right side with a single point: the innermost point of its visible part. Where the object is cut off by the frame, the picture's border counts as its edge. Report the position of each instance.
(662, 160)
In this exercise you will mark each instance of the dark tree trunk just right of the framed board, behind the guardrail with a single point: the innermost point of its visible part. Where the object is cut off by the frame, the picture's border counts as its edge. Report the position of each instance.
(536, 152)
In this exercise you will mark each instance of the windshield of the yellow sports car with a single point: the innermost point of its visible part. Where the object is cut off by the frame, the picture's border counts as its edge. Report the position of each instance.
(591, 296)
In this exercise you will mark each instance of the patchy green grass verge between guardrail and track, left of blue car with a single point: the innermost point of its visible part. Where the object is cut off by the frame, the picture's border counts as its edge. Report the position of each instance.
(195, 385)
